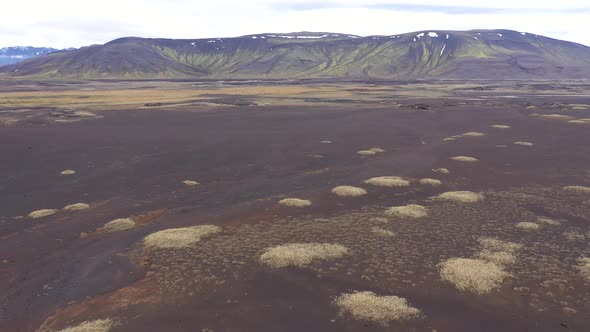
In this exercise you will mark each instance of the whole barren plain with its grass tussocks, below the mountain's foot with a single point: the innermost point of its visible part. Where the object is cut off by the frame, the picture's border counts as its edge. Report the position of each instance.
(294, 206)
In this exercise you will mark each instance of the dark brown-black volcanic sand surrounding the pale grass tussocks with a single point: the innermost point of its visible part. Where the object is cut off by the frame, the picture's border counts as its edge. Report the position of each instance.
(132, 164)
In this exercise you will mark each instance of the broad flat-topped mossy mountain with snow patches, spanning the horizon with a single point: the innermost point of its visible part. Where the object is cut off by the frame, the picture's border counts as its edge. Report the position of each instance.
(474, 54)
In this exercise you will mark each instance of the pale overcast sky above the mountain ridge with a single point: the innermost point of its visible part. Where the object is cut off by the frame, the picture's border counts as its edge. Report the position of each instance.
(74, 23)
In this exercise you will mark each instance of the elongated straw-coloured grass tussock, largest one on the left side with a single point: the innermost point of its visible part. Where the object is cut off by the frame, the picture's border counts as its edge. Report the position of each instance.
(179, 237)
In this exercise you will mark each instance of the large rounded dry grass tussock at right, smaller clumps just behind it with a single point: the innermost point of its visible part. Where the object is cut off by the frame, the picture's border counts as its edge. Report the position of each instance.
(472, 275)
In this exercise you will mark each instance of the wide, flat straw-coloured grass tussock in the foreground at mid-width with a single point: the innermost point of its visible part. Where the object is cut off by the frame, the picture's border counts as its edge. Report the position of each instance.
(301, 254)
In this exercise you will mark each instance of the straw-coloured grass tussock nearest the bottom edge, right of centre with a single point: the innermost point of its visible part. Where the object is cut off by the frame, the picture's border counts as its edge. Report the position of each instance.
(370, 307)
